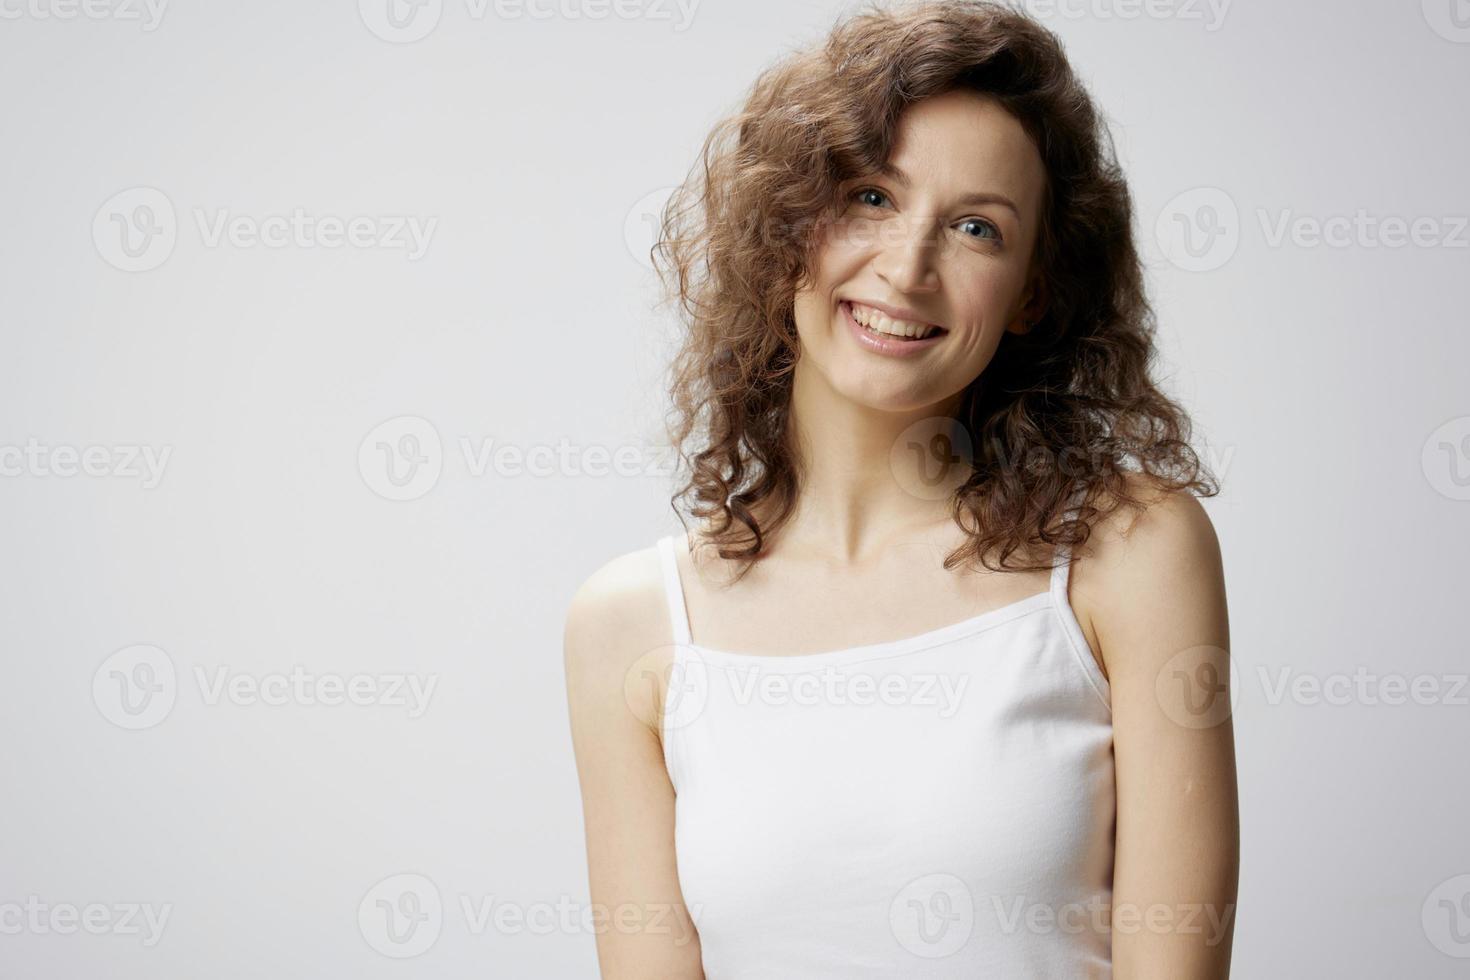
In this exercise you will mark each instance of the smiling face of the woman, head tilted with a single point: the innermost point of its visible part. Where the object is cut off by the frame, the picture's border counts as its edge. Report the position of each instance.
(942, 242)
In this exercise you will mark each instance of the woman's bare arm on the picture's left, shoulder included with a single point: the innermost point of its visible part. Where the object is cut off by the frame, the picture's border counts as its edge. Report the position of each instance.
(617, 652)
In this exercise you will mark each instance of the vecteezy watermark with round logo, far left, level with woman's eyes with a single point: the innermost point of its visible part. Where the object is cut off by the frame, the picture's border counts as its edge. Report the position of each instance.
(137, 230)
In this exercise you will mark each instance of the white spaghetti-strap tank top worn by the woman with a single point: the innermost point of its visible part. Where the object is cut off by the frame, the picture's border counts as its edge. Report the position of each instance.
(940, 806)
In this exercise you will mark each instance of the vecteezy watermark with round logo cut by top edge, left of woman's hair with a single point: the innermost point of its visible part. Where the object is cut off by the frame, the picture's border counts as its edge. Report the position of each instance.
(409, 21)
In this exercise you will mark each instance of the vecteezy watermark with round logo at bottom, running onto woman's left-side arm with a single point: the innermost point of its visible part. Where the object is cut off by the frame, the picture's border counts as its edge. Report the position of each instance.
(404, 916)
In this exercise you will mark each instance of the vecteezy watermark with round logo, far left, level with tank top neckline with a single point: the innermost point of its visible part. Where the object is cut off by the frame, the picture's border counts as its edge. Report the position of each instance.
(137, 687)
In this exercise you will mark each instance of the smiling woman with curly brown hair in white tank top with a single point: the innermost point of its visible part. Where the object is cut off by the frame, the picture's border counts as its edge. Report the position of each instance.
(936, 685)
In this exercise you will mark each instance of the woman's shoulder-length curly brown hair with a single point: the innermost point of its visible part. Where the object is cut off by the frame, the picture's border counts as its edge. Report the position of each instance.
(1065, 412)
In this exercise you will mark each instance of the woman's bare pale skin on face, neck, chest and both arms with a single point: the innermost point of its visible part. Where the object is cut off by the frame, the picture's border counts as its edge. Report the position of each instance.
(859, 563)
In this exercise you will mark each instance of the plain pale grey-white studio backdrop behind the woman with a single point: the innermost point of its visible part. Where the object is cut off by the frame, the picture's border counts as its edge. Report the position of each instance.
(1330, 386)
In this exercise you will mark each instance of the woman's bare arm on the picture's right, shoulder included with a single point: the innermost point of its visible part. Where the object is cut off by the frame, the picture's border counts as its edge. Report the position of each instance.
(1159, 612)
